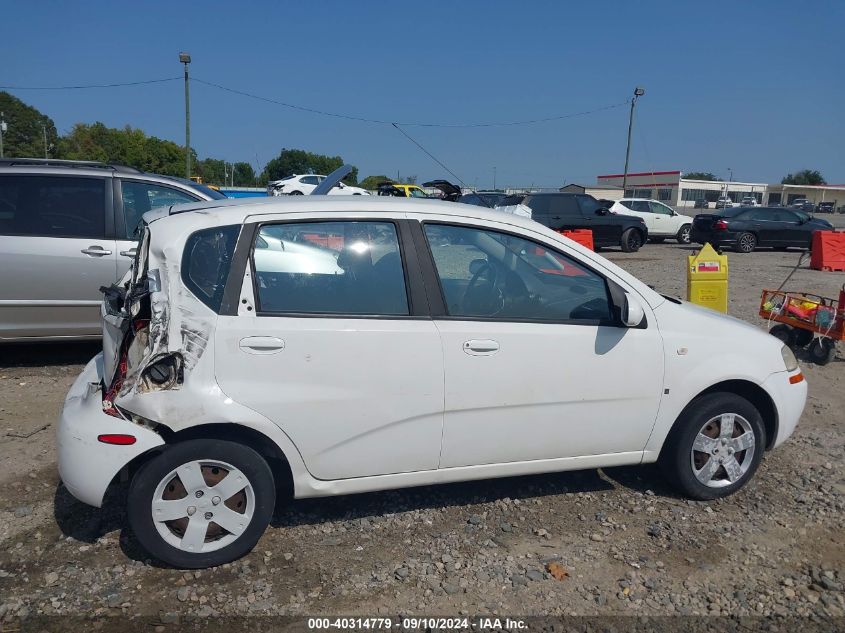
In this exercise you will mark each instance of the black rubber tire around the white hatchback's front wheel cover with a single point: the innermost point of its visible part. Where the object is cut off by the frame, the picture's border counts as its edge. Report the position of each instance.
(677, 457)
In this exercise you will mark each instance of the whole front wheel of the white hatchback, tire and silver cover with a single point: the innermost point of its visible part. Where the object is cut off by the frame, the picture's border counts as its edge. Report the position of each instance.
(715, 446)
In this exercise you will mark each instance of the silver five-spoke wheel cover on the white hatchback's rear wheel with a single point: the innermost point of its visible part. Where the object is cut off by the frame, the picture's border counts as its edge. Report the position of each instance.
(168, 510)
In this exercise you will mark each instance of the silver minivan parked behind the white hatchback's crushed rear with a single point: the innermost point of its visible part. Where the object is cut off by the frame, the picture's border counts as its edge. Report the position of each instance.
(66, 229)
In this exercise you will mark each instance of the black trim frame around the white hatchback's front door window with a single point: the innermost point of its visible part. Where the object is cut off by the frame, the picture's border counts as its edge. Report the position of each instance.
(435, 286)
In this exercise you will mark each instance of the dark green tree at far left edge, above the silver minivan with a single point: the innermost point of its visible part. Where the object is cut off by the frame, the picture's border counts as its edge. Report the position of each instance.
(26, 126)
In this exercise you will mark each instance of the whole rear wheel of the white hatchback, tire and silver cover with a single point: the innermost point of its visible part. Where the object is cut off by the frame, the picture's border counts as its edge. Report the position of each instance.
(201, 503)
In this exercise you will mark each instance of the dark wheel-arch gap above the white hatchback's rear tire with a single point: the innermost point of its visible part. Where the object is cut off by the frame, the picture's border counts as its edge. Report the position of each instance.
(257, 441)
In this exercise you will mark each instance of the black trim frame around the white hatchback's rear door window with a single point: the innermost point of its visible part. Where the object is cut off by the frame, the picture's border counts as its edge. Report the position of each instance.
(418, 308)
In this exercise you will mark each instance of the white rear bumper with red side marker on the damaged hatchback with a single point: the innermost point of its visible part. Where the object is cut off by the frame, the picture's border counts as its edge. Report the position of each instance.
(86, 465)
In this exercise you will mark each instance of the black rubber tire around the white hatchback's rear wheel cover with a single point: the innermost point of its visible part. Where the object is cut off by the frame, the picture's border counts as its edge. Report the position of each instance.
(153, 473)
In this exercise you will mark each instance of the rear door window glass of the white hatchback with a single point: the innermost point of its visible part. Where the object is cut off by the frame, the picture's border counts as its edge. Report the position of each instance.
(342, 268)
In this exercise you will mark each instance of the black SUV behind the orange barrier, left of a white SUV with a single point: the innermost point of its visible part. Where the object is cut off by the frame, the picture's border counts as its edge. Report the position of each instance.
(565, 211)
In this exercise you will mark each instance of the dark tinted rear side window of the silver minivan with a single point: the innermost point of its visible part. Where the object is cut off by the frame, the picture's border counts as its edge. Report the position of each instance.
(52, 206)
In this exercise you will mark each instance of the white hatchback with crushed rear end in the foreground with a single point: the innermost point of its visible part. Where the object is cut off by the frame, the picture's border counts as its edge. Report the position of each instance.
(347, 345)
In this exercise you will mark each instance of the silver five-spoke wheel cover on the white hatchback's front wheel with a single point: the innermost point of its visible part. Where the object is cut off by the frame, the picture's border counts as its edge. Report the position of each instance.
(721, 451)
